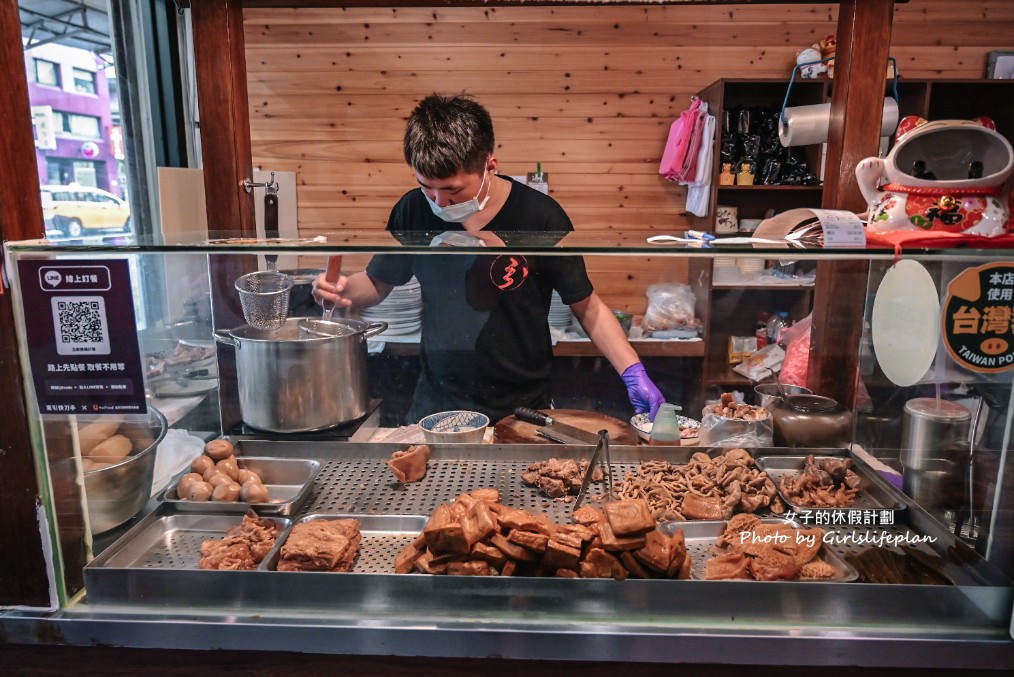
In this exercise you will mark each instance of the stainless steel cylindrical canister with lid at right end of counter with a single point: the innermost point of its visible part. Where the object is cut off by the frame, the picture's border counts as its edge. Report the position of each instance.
(933, 430)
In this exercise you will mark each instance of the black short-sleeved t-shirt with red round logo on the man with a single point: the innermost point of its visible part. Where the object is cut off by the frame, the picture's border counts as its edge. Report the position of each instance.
(486, 339)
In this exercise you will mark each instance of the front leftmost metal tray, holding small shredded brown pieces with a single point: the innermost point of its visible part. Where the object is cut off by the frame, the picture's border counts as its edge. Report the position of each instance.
(169, 542)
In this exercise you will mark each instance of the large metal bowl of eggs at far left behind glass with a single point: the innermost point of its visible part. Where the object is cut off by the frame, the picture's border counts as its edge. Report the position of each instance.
(117, 493)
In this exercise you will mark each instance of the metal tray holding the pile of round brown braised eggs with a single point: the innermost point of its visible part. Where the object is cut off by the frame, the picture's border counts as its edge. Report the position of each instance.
(289, 484)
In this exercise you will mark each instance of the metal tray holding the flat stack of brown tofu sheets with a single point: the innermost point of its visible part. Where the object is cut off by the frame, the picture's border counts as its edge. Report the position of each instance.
(385, 537)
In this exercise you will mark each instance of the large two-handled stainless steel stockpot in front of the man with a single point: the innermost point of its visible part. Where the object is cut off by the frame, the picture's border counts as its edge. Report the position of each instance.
(293, 385)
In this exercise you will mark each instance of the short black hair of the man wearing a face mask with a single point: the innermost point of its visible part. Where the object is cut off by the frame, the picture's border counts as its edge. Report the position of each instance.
(447, 135)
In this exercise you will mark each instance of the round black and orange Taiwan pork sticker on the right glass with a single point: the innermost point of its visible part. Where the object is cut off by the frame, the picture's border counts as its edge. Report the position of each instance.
(979, 319)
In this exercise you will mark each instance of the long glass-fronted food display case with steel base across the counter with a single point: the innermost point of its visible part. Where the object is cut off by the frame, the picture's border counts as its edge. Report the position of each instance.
(148, 353)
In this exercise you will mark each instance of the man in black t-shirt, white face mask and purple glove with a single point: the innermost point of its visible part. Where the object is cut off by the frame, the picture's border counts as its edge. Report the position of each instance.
(486, 343)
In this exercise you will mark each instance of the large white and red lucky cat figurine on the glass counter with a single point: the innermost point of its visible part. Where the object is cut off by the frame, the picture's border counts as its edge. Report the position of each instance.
(946, 176)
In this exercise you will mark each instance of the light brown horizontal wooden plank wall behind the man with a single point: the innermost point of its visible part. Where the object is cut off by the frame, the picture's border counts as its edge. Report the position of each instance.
(589, 92)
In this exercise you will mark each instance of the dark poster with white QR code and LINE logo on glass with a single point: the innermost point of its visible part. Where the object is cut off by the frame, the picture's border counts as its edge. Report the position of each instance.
(83, 337)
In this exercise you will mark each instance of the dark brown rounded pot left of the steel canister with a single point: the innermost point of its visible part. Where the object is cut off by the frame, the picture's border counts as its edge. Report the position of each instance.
(811, 421)
